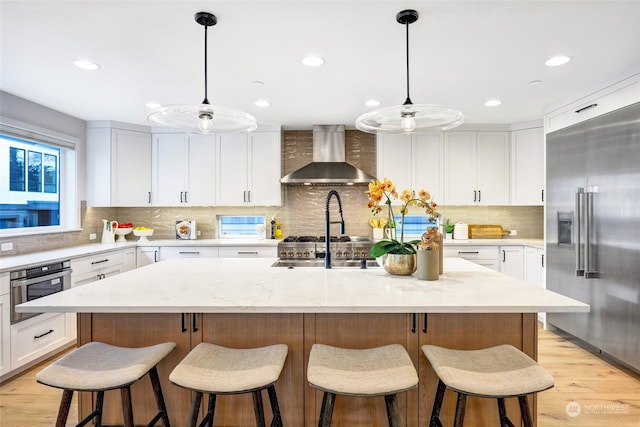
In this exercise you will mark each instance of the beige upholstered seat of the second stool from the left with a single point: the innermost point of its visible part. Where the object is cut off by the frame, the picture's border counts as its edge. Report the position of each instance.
(211, 368)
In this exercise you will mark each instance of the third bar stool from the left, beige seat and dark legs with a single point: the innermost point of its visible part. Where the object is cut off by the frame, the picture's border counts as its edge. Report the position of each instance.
(381, 371)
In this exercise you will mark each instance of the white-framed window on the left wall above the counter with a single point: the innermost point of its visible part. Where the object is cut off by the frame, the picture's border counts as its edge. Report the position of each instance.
(34, 194)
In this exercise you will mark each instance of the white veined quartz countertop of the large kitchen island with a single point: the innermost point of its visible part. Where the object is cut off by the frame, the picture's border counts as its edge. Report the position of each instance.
(253, 286)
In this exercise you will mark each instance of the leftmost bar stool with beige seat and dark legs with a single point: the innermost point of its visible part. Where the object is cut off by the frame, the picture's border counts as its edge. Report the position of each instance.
(97, 367)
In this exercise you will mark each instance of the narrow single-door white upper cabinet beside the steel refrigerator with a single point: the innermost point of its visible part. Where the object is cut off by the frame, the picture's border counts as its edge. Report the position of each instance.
(527, 167)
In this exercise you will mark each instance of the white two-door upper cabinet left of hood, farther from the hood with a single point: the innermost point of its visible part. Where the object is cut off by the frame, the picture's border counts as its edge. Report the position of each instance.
(184, 169)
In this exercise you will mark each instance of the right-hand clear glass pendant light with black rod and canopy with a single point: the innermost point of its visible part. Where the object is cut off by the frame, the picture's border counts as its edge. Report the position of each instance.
(409, 117)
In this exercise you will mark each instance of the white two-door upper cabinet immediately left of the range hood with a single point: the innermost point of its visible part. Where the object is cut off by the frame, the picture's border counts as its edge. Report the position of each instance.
(248, 169)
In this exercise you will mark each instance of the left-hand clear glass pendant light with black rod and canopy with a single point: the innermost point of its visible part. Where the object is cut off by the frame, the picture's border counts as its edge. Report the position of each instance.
(204, 117)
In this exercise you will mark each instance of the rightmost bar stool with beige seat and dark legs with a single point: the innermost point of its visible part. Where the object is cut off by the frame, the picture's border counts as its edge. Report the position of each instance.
(497, 372)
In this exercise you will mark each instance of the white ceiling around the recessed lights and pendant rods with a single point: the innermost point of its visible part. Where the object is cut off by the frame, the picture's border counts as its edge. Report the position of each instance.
(462, 53)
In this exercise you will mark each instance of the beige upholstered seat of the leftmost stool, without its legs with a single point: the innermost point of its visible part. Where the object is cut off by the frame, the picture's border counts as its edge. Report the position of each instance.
(98, 366)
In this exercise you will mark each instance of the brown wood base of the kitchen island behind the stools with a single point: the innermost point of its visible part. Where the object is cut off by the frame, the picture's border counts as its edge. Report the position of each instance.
(299, 403)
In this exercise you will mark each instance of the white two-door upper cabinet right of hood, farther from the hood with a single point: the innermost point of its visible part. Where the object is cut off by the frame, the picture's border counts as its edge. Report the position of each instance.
(476, 168)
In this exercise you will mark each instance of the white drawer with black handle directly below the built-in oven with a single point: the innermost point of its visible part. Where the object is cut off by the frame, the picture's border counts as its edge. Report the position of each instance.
(36, 336)
